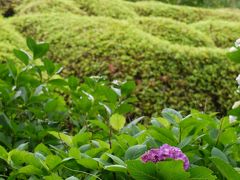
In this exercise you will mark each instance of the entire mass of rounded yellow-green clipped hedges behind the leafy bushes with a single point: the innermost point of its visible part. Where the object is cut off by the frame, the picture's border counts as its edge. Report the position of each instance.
(127, 40)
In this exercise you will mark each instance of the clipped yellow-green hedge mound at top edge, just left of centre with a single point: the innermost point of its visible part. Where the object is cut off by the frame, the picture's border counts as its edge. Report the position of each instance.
(110, 8)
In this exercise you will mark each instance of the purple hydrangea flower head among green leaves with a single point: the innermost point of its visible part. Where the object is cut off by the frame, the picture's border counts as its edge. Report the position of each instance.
(164, 152)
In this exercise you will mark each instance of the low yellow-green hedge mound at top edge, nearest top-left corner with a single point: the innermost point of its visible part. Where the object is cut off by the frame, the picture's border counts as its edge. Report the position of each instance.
(48, 6)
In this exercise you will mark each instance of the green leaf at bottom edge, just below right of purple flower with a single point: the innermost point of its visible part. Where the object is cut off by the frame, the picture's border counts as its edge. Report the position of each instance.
(202, 173)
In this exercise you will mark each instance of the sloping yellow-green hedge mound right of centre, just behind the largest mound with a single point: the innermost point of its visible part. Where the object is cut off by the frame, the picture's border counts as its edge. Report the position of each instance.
(171, 30)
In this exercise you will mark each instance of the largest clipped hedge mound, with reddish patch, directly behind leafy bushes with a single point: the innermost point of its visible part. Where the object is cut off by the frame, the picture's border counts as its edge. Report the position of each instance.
(167, 75)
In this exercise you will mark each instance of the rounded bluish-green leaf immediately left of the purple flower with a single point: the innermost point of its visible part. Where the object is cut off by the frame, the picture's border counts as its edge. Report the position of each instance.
(135, 152)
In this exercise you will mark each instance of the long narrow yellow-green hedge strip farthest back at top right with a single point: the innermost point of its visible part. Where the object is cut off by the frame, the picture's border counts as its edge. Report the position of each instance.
(183, 13)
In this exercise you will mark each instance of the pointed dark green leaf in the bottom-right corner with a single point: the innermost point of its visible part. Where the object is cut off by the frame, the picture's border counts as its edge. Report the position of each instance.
(226, 170)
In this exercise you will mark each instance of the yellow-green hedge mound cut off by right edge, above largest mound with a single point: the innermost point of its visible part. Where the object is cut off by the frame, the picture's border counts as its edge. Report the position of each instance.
(223, 33)
